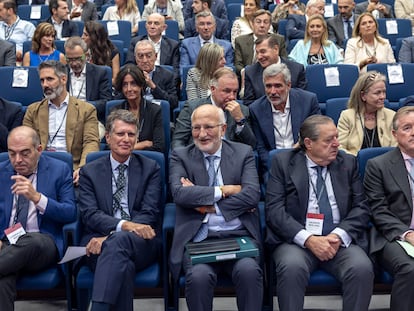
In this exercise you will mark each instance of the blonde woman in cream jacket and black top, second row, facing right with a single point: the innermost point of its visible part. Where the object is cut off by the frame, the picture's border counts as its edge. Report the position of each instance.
(366, 123)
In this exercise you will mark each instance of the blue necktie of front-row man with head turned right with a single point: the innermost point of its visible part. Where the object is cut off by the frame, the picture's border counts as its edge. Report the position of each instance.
(323, 202)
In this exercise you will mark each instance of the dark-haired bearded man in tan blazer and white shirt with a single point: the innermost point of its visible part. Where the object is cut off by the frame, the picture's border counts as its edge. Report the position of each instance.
(63, 122)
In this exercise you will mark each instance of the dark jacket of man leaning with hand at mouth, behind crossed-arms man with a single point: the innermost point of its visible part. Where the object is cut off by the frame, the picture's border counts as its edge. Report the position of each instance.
(182, 133)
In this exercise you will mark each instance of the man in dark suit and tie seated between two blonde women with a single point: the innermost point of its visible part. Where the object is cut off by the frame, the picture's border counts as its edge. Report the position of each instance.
(341, 25)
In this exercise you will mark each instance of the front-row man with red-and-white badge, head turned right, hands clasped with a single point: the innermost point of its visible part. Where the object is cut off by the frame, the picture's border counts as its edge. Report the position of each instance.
(317, 217)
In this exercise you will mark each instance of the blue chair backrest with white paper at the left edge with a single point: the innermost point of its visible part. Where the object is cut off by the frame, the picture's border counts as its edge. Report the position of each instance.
(26, 95)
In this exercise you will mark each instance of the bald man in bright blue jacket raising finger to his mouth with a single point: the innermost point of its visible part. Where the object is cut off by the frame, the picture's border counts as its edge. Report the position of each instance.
(37, 193)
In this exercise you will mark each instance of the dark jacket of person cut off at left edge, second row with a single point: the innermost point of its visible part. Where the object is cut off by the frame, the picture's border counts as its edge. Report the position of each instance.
(11, 116)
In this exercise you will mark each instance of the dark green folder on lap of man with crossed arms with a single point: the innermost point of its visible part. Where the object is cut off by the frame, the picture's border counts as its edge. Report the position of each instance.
(221, 250)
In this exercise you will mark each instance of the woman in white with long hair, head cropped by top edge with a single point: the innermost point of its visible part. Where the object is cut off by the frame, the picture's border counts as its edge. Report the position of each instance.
(125, 10)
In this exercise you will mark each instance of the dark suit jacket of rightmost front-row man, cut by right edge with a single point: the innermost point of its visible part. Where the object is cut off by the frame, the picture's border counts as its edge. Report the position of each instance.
(388, 191)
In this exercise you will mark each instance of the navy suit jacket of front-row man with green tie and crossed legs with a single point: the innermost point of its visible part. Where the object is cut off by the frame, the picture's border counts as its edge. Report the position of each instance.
(95, 195)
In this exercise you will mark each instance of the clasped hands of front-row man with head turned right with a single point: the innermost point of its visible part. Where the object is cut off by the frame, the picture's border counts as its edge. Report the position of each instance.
(323, 247)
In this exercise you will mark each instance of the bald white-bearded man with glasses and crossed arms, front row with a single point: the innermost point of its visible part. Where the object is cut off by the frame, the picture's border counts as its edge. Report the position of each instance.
(218, 180)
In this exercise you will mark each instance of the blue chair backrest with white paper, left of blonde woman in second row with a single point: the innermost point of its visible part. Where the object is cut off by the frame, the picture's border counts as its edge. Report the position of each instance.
(315, 75)
